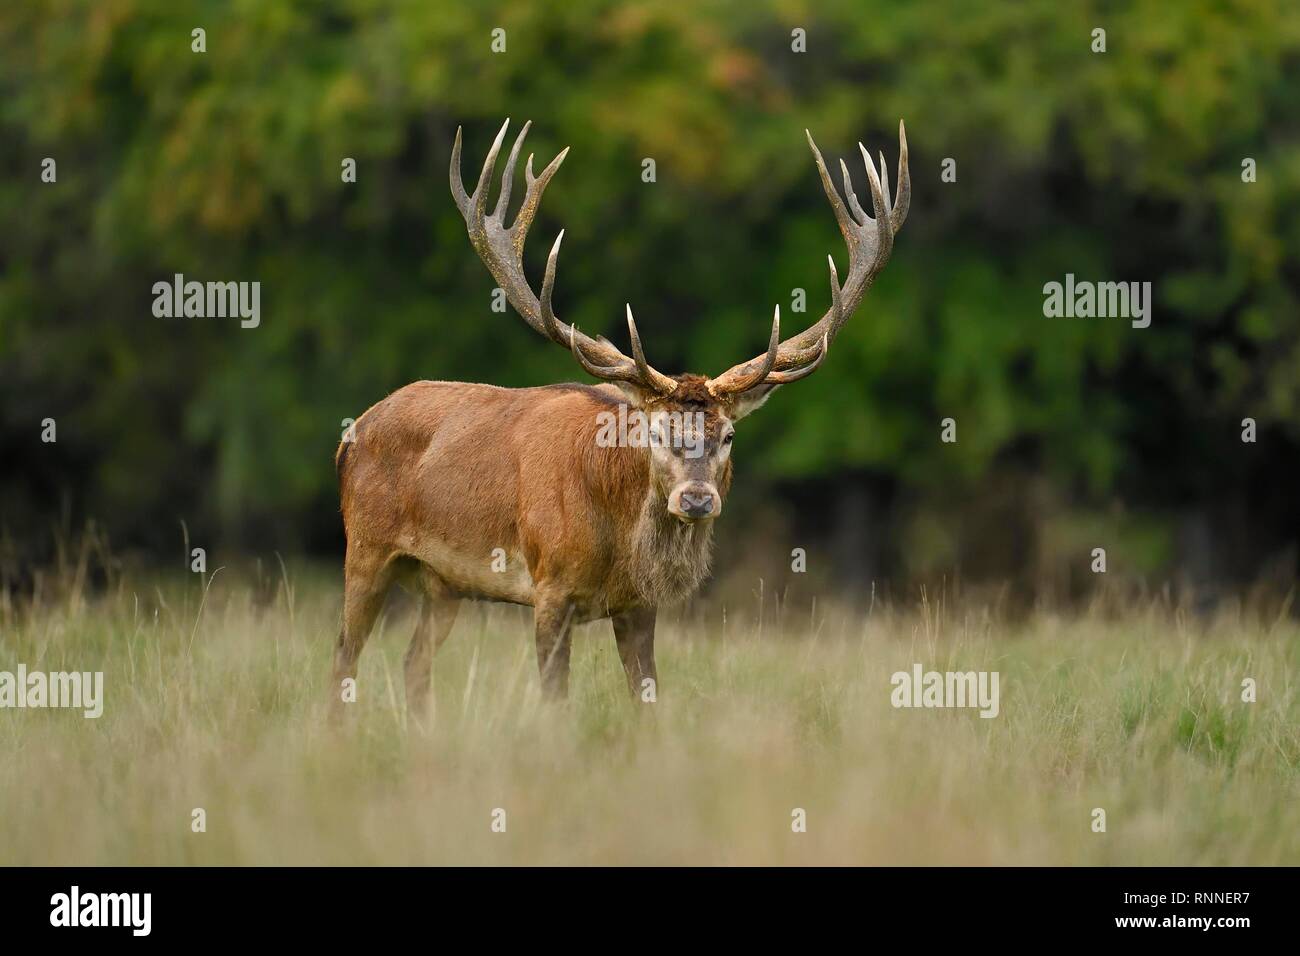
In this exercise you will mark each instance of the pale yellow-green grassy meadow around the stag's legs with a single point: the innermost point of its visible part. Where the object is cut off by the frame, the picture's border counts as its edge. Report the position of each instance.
(215, 699)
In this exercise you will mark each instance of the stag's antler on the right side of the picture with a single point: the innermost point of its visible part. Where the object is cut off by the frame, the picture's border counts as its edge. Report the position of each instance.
(870, 243)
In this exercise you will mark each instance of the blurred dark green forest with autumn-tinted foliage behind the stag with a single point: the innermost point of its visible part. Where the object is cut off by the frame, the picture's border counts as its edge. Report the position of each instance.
(1073, 434)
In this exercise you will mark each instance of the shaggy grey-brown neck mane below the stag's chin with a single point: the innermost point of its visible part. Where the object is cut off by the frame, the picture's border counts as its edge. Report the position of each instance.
(670, 559)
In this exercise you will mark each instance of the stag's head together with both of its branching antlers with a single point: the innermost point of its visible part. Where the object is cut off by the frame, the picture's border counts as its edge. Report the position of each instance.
(690, 418)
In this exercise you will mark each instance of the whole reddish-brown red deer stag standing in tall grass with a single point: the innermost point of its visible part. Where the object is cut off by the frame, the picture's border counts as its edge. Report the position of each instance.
(510, 495)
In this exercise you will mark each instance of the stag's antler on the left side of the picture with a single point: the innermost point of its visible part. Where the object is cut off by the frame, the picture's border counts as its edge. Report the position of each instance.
(502, 250)
